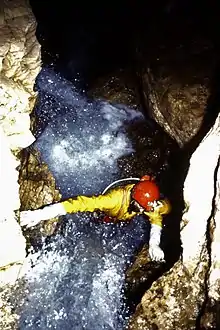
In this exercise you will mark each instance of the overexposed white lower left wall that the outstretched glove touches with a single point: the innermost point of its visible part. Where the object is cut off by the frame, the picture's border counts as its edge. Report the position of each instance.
(11, 238)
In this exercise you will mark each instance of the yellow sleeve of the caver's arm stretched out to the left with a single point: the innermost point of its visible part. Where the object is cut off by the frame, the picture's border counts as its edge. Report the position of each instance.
(88, 204)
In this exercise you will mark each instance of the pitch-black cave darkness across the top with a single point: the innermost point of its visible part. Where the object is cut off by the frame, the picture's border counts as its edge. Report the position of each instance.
(88, 40)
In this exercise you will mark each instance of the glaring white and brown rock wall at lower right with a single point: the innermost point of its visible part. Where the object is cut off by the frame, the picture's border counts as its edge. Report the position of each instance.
(187, 295)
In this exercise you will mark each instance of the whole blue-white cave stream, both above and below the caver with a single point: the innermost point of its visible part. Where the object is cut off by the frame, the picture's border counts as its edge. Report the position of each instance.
(76, 280)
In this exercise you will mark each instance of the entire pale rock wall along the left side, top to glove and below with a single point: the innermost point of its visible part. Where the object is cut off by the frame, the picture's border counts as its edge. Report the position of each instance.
(19, 66)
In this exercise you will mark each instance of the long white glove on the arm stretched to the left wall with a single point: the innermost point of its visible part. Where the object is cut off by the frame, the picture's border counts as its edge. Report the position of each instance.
(32, 218)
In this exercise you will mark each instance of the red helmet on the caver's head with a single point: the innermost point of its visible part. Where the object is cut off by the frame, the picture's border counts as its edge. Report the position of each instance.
(146, 191)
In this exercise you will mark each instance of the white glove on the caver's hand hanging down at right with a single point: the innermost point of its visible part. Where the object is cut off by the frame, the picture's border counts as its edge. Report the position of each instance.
(156, 253)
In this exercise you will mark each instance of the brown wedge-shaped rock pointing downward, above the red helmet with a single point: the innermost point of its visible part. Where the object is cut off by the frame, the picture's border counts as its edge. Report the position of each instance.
(176, 105)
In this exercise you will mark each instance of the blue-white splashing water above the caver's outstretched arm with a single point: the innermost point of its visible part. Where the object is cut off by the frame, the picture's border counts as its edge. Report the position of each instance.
(82, 146)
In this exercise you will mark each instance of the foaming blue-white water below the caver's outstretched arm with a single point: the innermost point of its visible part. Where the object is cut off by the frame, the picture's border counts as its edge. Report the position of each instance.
(77, 280)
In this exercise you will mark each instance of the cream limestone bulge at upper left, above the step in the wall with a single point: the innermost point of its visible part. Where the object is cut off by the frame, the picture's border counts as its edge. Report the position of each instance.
(19, 66)
